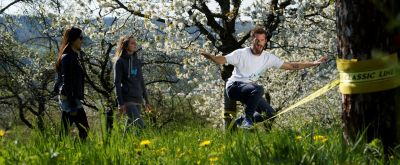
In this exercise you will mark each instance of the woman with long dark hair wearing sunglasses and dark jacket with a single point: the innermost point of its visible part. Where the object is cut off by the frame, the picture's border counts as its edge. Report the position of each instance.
(71, 82)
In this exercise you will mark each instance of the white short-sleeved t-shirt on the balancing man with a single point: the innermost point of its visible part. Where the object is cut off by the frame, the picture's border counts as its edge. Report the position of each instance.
(249, 67)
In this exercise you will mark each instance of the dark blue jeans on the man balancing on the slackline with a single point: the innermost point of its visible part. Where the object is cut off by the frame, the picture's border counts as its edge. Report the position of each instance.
(251, 95)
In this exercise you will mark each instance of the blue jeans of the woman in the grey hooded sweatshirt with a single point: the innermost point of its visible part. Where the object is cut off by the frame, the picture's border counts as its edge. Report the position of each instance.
(134, 117)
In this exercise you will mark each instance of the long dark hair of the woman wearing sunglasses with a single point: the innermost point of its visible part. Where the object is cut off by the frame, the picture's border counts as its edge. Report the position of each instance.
(70, 35)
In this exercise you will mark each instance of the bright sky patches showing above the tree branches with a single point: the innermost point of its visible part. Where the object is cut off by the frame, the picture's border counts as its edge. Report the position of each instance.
(15, 8)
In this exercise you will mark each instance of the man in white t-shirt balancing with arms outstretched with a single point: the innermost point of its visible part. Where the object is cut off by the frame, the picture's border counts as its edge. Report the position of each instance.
(249, 63)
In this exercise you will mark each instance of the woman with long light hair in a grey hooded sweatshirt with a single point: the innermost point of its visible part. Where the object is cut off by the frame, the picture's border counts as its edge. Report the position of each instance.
(129, 83)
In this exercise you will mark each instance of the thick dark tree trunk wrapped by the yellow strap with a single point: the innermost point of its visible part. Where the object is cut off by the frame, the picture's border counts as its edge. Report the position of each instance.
(362, 26)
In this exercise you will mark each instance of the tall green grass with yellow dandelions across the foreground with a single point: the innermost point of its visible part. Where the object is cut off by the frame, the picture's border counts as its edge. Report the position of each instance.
(192, 144)
